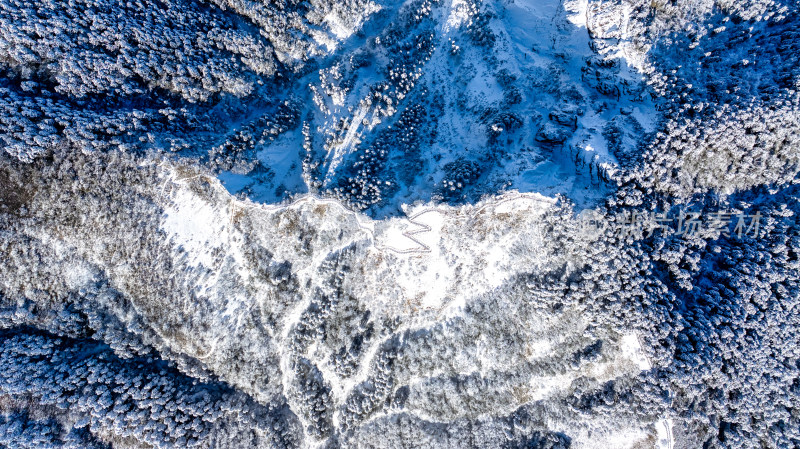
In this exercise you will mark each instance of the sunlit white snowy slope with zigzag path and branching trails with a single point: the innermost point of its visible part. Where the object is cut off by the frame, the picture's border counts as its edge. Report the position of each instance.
(355, 325)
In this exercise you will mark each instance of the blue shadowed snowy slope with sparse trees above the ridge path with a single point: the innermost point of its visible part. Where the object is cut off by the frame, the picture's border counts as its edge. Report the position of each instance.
(448, 101)
